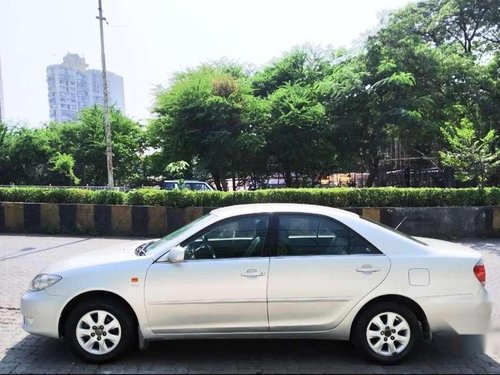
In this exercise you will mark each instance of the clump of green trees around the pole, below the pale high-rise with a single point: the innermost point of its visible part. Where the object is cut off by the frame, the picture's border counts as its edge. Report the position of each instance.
(58, 152)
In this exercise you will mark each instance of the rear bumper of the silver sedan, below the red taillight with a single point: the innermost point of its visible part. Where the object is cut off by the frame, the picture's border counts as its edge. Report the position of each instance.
(466, 314)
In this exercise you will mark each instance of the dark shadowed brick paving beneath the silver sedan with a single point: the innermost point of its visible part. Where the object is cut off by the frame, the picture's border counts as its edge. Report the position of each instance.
(449, 354)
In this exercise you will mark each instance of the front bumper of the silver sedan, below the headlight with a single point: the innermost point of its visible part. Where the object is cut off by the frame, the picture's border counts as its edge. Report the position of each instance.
(41, 313)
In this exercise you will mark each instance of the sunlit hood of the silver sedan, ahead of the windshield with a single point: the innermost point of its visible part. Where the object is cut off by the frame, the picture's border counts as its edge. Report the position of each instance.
(115, 254)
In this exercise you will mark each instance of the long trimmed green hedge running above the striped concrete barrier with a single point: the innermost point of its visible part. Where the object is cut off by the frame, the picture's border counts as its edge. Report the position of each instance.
(336, 197)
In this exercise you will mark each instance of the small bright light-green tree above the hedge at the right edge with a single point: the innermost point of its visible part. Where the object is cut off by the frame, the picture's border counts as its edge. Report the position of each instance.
(474, 158)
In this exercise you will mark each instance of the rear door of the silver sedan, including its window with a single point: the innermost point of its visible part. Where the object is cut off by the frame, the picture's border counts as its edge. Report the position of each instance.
(319, 271)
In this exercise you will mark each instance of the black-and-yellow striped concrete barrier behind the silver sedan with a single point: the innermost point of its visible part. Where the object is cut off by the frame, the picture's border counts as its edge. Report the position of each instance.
(154, 221)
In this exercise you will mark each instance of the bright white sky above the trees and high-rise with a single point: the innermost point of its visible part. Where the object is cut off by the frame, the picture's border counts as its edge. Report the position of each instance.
(148, 40)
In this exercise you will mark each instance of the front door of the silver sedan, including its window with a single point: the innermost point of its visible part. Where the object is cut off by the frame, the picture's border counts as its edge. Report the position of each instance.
(221, 284)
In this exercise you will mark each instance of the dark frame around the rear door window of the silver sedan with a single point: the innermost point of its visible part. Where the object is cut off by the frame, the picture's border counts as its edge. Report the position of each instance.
(275, 236)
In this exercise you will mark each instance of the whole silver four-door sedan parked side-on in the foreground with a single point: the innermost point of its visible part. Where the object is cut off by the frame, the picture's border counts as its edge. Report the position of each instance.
(264, 271)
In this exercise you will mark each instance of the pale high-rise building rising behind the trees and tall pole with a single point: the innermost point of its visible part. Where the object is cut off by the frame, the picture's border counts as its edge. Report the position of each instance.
(73, 87)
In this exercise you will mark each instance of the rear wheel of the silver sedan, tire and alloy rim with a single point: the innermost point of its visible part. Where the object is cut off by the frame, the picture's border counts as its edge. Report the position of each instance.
(386, 333)
